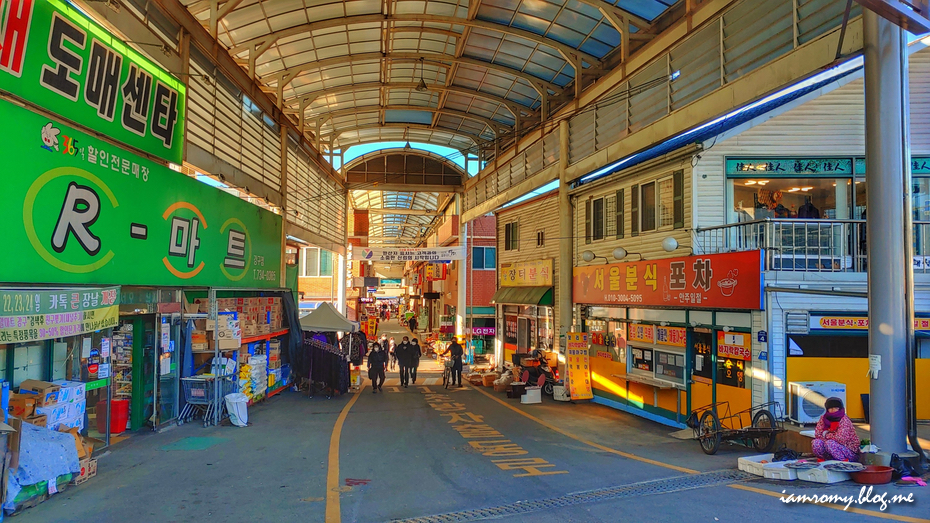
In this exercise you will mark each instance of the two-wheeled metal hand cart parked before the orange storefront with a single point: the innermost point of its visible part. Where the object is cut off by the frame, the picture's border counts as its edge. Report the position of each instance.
(755, 426)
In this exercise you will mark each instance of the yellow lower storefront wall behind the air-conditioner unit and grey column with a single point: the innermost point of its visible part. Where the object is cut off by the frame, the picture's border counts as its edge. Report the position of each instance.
(853, 373)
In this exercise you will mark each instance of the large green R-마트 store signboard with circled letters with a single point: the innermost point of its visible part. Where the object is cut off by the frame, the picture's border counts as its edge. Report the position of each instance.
(94, 213)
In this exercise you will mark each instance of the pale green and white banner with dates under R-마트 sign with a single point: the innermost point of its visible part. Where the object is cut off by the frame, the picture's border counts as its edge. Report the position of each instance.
(28, 315)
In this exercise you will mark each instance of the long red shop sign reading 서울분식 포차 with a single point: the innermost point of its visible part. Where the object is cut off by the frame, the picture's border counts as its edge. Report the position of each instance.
(711, 281)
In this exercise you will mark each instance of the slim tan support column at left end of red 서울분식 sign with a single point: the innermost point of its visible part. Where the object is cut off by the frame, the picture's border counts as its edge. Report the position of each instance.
(566, 227)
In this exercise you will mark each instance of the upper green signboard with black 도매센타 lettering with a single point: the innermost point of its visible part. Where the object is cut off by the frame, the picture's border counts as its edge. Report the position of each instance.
(52, 55)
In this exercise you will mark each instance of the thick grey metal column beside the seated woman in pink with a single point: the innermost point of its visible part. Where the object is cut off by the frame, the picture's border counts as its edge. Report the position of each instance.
(888, 202)
